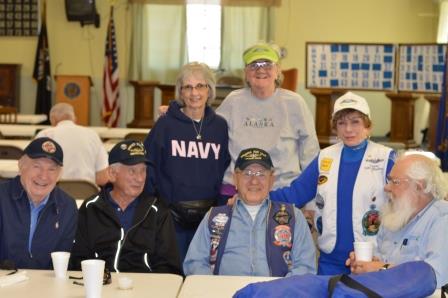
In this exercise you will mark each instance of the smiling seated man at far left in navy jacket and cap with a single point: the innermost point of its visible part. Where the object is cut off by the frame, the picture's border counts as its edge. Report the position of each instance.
(36, 217)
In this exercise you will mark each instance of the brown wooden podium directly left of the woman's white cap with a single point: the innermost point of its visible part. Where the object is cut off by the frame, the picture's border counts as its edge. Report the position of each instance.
(325, 99)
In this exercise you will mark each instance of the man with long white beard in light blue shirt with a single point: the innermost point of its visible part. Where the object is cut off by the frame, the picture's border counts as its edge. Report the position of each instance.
(414, 223)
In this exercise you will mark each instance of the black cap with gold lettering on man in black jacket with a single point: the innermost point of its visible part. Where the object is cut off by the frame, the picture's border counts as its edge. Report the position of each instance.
(128, 152)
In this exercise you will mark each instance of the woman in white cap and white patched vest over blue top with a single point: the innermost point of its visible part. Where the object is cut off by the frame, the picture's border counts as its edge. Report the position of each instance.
(346, 181)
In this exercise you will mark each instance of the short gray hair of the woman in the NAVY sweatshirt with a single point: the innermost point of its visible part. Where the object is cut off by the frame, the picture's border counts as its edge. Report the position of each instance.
(191, 69)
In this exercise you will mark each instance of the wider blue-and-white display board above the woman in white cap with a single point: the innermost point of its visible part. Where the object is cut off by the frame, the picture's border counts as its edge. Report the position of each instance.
(350, 66)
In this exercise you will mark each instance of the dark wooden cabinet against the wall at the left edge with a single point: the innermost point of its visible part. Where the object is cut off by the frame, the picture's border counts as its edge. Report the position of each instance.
(10, 85)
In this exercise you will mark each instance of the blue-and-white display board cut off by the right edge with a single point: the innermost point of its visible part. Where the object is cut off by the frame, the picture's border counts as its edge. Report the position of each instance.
(421, 67)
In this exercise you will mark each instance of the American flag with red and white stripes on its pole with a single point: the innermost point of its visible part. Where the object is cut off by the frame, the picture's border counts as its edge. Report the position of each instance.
(111, 90)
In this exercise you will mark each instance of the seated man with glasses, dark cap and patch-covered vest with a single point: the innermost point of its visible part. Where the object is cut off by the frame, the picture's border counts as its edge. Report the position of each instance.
(256, 236)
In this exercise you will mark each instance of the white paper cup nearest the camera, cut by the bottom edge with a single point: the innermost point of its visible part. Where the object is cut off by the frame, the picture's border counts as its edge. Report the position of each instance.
(92, 272)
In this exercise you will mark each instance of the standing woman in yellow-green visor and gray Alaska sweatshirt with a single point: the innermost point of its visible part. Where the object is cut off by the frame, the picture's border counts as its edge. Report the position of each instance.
(266, 116)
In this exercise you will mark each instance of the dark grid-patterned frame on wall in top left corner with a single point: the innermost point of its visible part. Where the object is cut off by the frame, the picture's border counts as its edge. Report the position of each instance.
(19, 17)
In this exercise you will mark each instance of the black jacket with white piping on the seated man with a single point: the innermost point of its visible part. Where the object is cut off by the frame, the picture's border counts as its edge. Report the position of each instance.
(148, 246)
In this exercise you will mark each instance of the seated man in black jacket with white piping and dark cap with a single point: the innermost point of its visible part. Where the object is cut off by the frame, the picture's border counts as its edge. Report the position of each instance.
(131, 231)
